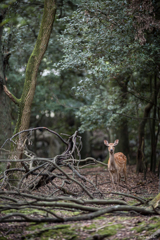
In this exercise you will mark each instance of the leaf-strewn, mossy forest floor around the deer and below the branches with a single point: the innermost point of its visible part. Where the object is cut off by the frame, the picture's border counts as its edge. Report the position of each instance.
(119, 225)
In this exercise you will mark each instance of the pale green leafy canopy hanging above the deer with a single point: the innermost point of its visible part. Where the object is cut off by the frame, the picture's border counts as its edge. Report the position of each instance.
(99, 41)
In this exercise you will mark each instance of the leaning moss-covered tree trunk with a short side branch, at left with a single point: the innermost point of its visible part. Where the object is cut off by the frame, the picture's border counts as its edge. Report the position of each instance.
(25, 102)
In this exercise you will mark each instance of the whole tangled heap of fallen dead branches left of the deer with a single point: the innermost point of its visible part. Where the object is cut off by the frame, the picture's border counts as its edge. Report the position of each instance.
(69, 190)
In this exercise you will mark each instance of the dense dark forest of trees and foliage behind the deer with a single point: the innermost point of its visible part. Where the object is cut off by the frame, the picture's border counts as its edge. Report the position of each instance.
(99, 75)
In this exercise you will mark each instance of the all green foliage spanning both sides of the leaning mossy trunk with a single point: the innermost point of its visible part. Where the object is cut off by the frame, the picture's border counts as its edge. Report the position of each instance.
(94, 67)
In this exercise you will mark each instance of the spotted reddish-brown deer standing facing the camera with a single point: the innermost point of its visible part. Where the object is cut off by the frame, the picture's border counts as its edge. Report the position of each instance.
(116, 163)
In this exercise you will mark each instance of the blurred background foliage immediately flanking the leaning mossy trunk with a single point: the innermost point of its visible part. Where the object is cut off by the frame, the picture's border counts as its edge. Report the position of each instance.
(54, 88)
